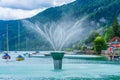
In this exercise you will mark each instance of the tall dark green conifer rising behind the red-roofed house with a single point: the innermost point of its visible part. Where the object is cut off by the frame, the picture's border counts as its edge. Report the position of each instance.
(116, 27)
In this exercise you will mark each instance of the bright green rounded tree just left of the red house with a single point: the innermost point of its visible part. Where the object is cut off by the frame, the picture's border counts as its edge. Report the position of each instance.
(99, 44)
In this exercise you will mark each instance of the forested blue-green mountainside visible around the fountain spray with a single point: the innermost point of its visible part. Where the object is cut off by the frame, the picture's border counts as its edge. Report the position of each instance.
(99, 12)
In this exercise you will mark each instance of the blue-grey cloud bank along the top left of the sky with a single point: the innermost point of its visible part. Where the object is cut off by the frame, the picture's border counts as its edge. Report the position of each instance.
(24, 4)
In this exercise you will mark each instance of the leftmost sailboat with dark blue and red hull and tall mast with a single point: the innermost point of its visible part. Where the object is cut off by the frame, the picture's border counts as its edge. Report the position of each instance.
(6, 55)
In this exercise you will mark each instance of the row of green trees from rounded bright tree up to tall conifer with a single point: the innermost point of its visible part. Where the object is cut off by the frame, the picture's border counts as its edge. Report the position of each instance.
(100, 42)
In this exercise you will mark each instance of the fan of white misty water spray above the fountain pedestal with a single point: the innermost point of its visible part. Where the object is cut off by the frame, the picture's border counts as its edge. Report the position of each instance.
(62, 33)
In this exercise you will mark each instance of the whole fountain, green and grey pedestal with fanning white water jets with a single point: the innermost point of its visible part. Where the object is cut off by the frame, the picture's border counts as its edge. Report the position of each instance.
(58, 35)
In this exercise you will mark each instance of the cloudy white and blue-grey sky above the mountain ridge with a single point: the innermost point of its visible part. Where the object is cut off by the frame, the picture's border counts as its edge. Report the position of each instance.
(19, 9)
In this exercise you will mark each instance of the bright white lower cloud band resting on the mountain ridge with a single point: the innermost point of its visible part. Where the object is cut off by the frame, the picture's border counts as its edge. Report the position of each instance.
(13, 14)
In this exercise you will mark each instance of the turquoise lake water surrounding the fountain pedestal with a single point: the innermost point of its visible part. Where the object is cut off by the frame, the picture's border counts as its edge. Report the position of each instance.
(74, 68)
